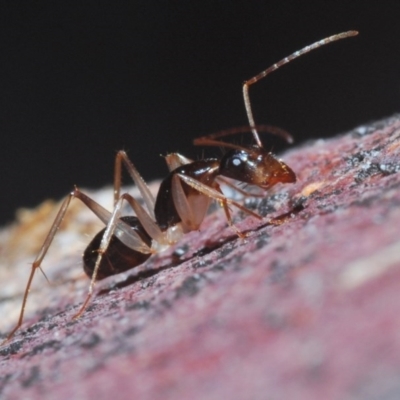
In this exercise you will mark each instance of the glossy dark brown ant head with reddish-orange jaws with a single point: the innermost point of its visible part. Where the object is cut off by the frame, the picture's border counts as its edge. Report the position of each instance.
(255, 166)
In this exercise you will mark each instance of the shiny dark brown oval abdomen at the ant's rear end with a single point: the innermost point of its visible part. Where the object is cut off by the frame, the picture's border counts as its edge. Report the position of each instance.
(118, 257)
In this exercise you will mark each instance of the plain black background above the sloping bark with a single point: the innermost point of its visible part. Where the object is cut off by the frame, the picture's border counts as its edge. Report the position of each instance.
(81, 80)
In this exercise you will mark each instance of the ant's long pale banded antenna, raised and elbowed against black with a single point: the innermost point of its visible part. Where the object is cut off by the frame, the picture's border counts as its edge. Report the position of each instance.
(280, 63)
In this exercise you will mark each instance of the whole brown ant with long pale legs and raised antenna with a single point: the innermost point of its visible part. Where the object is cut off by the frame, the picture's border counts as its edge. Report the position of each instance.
(182, 200)
